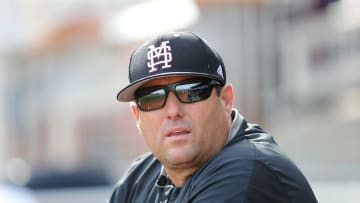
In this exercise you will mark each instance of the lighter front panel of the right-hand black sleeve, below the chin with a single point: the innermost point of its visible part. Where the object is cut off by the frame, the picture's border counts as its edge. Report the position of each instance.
(226, 176)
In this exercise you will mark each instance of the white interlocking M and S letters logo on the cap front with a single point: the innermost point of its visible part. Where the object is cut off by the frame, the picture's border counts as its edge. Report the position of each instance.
(159, 57)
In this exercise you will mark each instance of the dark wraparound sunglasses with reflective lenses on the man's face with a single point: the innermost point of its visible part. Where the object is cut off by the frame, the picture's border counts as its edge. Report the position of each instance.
(186, 91)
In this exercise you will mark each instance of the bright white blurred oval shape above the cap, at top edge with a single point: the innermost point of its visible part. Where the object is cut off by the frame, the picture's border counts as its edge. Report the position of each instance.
(140, 21)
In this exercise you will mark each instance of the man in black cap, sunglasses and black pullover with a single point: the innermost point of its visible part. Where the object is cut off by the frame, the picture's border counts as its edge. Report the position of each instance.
(203, 150)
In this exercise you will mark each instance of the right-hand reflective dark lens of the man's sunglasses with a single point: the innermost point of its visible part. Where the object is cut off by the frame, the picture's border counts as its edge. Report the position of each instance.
(193, 92)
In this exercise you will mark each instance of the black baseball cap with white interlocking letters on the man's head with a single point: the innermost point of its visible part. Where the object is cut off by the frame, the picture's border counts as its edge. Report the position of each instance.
(172, 54)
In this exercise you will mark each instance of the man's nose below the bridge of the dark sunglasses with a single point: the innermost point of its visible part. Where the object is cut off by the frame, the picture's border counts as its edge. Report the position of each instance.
(173, 107)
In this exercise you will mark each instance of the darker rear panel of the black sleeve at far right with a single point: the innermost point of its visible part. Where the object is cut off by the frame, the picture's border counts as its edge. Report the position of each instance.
(276, 177)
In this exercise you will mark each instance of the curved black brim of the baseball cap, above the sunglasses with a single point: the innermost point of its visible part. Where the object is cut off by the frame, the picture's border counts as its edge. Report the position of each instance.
(128, 93)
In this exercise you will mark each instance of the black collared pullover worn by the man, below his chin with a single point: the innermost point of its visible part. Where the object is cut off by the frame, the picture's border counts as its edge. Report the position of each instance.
(250, 168)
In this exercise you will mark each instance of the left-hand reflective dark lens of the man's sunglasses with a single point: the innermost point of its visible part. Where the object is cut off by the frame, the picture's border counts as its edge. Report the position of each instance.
(151, 100)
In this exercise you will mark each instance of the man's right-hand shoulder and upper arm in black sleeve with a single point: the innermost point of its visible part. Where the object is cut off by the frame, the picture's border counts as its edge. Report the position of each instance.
(252, 171)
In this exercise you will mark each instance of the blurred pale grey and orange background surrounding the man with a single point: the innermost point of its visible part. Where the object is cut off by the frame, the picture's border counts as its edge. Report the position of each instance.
(64, 138)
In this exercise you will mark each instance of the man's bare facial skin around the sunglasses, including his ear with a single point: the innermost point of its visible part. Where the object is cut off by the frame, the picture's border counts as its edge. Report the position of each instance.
(182, 135)
